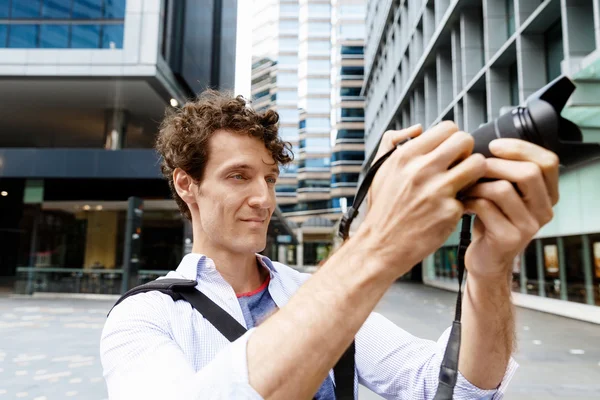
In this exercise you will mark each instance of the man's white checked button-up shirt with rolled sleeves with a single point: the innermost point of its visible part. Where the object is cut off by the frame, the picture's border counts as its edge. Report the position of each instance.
(155, 348)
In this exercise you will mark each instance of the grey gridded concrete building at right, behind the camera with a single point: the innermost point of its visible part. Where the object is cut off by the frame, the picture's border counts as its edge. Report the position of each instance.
(471, 61)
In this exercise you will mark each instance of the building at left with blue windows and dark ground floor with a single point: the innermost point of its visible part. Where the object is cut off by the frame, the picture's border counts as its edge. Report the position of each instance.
(84, 86)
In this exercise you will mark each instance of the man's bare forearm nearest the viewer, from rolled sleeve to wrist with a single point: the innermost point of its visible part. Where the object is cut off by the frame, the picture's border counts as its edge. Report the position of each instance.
(291, 354)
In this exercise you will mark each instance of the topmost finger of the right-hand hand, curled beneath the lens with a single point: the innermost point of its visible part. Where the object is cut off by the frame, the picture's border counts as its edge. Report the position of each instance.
(520, 150)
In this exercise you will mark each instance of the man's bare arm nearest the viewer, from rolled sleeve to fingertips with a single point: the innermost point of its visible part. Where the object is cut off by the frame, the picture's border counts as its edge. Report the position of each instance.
(414, 210)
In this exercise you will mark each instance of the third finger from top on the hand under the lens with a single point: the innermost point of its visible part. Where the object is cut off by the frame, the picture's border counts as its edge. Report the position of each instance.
(503, 194)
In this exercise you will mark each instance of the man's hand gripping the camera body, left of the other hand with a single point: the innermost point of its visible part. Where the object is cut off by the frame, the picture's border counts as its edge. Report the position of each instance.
(413, 206)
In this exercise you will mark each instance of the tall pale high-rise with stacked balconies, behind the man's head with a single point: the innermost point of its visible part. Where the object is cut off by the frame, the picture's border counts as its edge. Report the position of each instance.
(308, 55)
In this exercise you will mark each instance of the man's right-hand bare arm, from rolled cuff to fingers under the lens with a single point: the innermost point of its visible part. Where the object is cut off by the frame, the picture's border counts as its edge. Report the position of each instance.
(510, 210)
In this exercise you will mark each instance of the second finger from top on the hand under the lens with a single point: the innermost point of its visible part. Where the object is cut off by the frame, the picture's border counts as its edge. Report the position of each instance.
(530, 181)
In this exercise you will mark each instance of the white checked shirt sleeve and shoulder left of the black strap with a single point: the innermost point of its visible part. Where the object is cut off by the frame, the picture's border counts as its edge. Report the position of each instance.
(142, 361)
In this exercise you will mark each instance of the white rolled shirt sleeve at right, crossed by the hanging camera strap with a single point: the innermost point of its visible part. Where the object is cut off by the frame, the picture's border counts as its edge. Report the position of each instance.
(397, 365)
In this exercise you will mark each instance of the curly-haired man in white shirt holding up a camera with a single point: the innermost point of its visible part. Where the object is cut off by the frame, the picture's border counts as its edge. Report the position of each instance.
(221, 160)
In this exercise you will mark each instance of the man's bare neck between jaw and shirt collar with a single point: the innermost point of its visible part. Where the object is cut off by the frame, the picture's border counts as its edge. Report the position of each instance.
(241, 271)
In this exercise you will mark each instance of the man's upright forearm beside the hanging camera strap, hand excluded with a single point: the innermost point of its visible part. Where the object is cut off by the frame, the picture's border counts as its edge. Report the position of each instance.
(488, 331)
